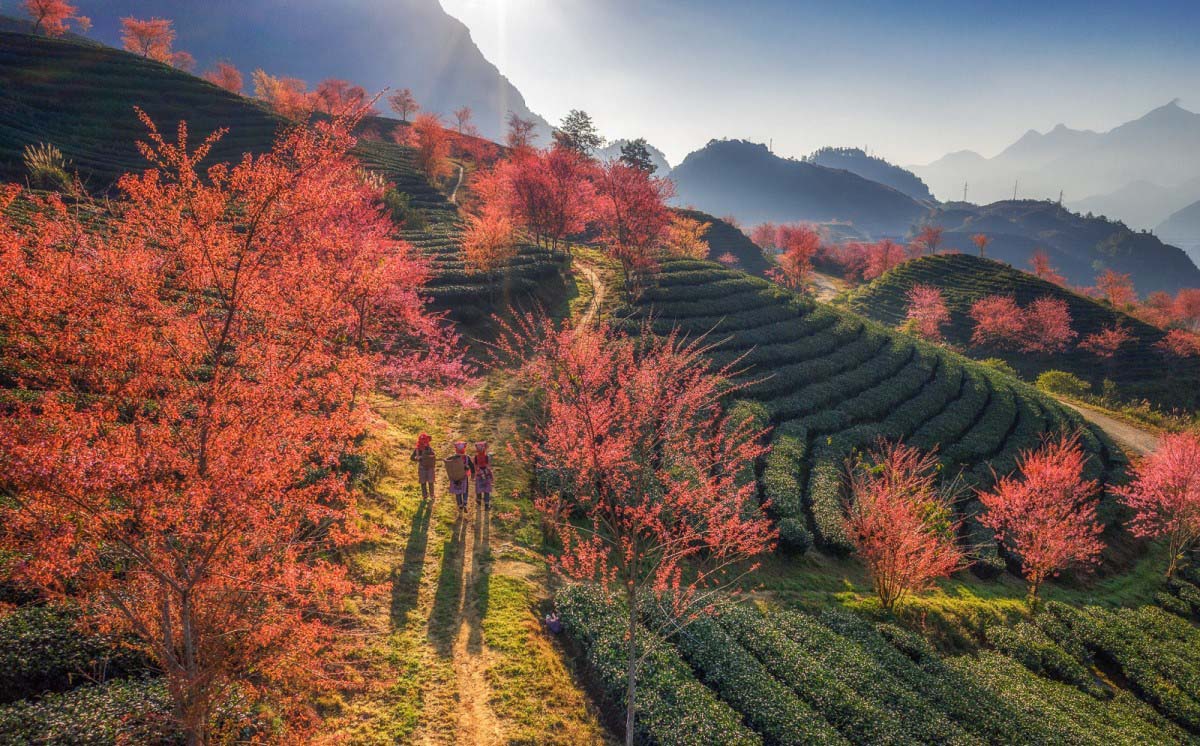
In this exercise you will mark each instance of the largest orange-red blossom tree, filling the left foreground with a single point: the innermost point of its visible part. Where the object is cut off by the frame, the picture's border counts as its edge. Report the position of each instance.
(183, 389)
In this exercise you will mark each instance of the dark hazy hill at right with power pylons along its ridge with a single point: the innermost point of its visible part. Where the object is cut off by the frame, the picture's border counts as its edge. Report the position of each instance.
(1079, 248)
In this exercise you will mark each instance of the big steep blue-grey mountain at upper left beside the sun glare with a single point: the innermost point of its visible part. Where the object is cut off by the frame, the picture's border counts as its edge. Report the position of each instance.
(394, 44)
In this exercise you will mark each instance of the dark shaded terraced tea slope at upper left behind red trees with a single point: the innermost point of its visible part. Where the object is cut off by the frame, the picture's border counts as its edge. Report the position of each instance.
(81, 99)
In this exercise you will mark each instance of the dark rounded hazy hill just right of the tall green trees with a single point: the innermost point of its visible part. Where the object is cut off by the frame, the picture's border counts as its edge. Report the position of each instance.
(754, 185)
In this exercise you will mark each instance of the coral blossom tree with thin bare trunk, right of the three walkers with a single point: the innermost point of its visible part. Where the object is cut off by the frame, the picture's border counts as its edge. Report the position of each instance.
(656, 506)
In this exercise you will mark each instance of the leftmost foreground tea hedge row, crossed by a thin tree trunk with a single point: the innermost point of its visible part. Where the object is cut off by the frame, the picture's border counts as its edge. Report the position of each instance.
(673, 708)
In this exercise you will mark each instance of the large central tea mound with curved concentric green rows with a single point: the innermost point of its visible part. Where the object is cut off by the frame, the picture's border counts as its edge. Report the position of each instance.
(832, 382)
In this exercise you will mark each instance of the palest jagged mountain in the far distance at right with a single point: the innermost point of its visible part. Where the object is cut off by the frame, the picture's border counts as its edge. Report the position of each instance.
(1161, 148)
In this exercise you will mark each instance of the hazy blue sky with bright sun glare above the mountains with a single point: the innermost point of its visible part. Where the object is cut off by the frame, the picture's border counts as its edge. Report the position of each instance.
(910, 80)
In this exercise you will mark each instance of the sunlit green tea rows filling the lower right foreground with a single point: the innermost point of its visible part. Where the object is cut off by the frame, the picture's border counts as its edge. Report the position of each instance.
(783, 677)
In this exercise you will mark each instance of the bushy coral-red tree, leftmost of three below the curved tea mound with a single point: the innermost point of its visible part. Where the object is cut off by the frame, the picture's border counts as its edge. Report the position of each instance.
(901, 522)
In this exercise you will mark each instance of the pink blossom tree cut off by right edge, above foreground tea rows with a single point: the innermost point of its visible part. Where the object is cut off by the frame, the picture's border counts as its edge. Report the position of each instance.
(1165, 496)
